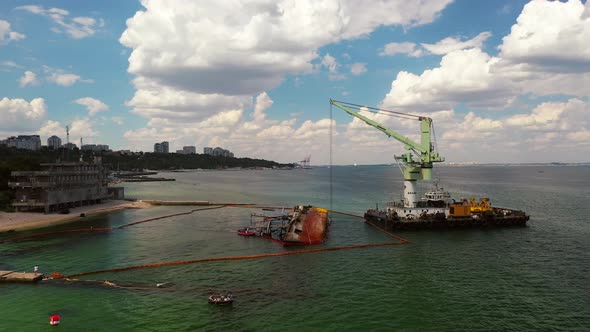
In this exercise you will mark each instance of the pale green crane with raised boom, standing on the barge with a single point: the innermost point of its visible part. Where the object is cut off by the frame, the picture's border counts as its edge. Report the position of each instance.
(424, 152)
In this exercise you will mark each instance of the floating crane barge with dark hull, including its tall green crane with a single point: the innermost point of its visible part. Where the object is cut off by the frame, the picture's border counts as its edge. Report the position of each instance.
(435, 209)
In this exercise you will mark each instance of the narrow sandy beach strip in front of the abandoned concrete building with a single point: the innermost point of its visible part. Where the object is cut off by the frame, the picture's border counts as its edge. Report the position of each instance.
(26, 220)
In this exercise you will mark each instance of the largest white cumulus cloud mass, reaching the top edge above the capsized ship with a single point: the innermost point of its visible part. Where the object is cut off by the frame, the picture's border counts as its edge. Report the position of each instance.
(197, 70)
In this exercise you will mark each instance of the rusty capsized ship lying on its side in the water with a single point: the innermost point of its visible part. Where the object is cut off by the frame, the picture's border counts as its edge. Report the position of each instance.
(304, 225)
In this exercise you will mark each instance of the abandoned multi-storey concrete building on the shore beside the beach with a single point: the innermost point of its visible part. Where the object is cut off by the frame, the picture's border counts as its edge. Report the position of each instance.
(60, 186)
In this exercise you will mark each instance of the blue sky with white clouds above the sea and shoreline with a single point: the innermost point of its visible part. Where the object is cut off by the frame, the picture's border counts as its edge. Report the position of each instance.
(503, 81)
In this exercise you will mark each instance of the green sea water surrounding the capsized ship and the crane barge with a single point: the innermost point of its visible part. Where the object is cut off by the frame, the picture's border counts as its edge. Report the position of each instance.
(533, 278)
